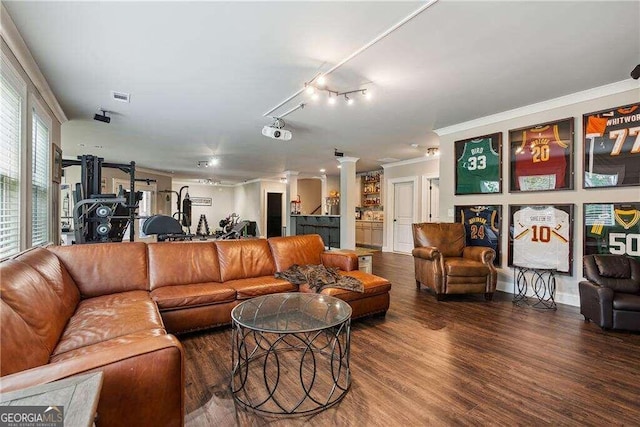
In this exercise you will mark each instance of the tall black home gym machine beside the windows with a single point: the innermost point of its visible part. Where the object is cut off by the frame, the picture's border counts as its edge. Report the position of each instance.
(102, 217)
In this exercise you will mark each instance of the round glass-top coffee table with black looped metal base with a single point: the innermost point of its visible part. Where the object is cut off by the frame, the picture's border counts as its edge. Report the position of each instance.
(290, 353)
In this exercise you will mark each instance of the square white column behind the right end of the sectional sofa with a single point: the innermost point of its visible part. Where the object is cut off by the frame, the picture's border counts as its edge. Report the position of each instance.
(348, 201)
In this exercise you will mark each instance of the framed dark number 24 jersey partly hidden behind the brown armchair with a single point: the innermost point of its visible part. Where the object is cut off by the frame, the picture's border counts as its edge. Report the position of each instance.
(482, 226)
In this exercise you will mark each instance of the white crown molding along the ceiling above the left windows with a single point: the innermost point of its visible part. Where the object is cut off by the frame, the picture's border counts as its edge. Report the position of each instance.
(20, 50)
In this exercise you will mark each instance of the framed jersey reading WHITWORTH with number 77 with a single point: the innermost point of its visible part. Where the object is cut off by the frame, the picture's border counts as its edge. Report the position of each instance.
(612, 147)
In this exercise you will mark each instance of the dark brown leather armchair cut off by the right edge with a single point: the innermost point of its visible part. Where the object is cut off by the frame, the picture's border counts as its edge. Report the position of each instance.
(610, 296)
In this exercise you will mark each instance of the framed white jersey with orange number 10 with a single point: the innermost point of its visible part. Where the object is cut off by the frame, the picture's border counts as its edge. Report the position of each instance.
(540, 236)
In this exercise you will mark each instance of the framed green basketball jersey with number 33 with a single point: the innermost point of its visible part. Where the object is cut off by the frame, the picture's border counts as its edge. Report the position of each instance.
(479, 165)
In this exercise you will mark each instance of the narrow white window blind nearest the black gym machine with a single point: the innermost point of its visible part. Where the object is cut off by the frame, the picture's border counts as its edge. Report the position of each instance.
(40, 182)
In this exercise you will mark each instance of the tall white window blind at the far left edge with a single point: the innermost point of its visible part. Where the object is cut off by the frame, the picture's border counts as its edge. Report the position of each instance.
(10, 129)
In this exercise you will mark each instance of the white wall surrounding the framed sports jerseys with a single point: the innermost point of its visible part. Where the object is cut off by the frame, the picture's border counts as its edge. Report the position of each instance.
(571, 106)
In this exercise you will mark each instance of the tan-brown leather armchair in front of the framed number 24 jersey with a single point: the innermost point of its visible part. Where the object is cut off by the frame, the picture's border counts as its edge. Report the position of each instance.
(444, 264)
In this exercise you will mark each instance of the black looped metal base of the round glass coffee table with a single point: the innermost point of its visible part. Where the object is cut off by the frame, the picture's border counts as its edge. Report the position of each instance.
(290, 374)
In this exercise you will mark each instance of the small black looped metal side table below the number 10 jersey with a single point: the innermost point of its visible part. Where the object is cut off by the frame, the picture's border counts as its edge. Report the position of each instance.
(541, 281)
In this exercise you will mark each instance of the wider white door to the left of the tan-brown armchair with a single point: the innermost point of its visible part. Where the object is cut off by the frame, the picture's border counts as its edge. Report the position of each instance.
(403, 213)
